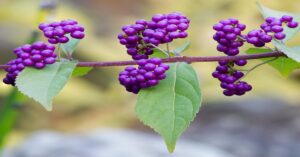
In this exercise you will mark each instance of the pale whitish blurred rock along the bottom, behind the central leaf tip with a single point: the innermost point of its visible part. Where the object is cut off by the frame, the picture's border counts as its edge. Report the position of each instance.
(108, 143)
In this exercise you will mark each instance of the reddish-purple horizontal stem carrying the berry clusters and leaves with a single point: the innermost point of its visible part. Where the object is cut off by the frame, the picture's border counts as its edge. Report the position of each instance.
(180, 59)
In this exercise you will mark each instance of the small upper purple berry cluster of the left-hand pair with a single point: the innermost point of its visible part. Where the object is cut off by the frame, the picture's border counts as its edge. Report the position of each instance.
(57, 32)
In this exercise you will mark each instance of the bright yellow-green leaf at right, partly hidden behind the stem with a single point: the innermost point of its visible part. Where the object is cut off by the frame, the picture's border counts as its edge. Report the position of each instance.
(284, 65)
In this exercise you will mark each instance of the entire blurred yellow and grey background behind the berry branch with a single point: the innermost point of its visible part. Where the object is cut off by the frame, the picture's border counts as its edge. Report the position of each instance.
(94, 115)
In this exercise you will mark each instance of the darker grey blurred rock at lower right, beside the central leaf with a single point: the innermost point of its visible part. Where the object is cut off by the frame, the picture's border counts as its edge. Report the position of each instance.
(253, 128)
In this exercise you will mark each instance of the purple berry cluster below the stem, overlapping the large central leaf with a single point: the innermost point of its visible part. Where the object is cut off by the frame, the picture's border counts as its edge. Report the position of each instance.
(148, 74)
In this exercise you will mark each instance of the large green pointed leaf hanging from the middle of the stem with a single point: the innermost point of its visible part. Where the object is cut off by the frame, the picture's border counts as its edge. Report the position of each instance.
(170, 106)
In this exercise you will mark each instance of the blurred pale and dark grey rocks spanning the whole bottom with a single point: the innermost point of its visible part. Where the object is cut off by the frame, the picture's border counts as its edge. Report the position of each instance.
(256, 128)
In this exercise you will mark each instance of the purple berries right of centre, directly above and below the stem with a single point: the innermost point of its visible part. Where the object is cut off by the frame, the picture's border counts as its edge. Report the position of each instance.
(230, 39)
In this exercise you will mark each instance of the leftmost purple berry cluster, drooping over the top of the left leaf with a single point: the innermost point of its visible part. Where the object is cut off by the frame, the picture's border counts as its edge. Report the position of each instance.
(37, 55)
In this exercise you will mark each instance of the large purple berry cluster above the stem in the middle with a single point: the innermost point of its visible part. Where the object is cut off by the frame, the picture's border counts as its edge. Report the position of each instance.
(140, 37)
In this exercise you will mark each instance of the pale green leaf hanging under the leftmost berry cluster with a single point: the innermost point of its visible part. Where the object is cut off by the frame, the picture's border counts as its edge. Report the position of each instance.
(43, 85)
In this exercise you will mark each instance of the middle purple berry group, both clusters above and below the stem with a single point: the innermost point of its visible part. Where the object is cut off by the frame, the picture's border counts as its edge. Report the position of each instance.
(140, 39)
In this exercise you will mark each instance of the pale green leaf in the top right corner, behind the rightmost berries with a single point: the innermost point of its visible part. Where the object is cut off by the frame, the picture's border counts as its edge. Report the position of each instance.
(290, 32)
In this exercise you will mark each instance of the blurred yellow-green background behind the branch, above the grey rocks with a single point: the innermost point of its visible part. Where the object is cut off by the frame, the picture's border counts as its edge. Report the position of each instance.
(97, 100)
